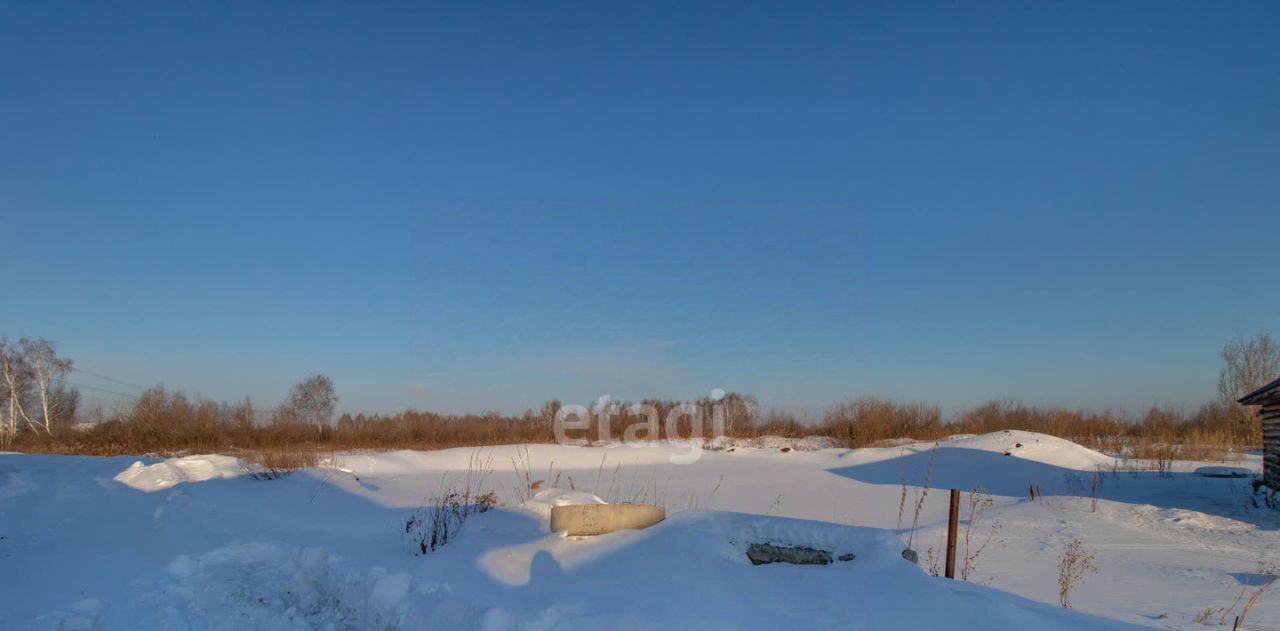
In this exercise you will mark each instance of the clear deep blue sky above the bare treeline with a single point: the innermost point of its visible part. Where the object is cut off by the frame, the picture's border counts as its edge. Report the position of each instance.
(470, 205)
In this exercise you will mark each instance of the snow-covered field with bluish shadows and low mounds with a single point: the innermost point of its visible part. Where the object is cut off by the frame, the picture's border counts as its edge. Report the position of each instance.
(191, 543)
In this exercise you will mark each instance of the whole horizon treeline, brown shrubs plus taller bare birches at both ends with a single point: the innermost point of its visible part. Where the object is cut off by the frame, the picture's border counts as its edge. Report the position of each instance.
(166, 422)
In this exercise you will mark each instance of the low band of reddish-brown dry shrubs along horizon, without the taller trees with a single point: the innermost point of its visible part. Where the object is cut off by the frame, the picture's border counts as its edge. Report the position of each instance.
(163, 422)
